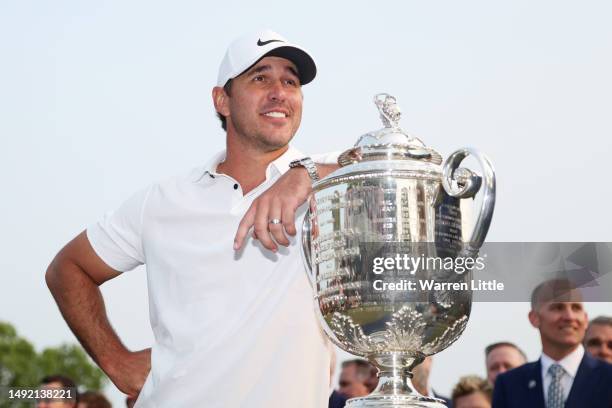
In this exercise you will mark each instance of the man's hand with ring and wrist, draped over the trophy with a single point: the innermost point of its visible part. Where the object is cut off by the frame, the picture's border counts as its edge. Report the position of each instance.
(280, 201)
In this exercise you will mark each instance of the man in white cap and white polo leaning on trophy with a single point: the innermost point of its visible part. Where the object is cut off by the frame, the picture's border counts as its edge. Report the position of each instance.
(234, 324)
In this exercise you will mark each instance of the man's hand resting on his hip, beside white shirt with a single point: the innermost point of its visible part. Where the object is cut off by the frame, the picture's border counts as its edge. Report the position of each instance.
(129, 372)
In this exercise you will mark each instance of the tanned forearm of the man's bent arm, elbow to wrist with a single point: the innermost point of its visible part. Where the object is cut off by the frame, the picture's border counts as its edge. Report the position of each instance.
(80, 302)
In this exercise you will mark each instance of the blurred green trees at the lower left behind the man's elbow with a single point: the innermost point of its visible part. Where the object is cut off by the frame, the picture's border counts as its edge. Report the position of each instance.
(21, 366)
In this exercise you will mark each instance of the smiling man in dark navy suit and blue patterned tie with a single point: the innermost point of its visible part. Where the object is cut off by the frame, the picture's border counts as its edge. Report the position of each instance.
(564, 376)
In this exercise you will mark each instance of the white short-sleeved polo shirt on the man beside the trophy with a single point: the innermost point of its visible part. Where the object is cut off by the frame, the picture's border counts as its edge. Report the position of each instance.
(232, 329)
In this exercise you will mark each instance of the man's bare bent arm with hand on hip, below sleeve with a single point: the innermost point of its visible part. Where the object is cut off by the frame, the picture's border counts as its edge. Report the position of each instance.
(74, 277)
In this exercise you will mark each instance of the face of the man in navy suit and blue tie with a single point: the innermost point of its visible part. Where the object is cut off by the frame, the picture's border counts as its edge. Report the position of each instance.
(561, 324)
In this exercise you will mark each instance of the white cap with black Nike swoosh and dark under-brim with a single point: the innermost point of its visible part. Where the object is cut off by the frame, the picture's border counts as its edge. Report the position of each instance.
(246, 51)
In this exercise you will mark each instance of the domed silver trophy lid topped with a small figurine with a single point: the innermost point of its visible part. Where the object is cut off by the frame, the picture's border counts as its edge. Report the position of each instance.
(390, 142)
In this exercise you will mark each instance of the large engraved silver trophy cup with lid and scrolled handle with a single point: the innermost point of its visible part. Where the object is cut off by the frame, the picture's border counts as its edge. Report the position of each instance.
(392, 198)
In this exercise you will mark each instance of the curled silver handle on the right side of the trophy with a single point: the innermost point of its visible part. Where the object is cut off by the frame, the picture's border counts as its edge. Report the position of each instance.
(461, 182)
